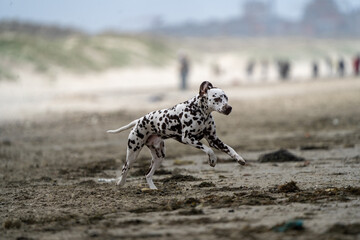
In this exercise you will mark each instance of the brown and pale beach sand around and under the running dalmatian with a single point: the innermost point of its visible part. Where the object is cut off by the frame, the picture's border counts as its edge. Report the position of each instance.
(50, 161)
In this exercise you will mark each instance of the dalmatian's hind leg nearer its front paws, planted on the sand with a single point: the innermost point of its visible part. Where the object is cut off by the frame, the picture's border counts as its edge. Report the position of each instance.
(157, 148)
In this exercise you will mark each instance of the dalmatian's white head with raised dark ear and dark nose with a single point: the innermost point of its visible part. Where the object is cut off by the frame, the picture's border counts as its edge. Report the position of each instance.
(215, 97)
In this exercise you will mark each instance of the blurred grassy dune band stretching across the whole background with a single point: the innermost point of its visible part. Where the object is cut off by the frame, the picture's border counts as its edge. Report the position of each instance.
(87, 53)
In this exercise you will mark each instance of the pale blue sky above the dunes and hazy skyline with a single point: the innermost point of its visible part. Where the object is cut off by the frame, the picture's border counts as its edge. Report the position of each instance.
(132, 15)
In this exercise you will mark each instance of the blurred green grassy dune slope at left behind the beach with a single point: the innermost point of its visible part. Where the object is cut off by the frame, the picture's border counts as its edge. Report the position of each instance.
(78, 53)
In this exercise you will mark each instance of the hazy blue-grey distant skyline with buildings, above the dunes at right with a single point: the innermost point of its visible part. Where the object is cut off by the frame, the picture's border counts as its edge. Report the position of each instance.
(321, 18)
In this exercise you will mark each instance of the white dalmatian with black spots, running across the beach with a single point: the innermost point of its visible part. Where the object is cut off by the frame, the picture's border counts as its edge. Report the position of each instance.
(187, 122)
